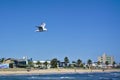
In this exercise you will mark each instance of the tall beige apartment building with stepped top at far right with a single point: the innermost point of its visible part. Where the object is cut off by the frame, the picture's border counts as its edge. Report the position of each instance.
(105, 58)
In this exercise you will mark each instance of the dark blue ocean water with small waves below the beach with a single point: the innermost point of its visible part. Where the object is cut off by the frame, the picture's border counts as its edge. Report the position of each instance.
(75, 76)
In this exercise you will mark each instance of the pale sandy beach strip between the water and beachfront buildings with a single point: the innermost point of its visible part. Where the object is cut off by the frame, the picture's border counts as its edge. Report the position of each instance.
(56, 71)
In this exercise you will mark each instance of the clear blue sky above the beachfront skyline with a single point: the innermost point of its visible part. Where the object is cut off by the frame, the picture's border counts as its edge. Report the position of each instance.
(78, 29)
